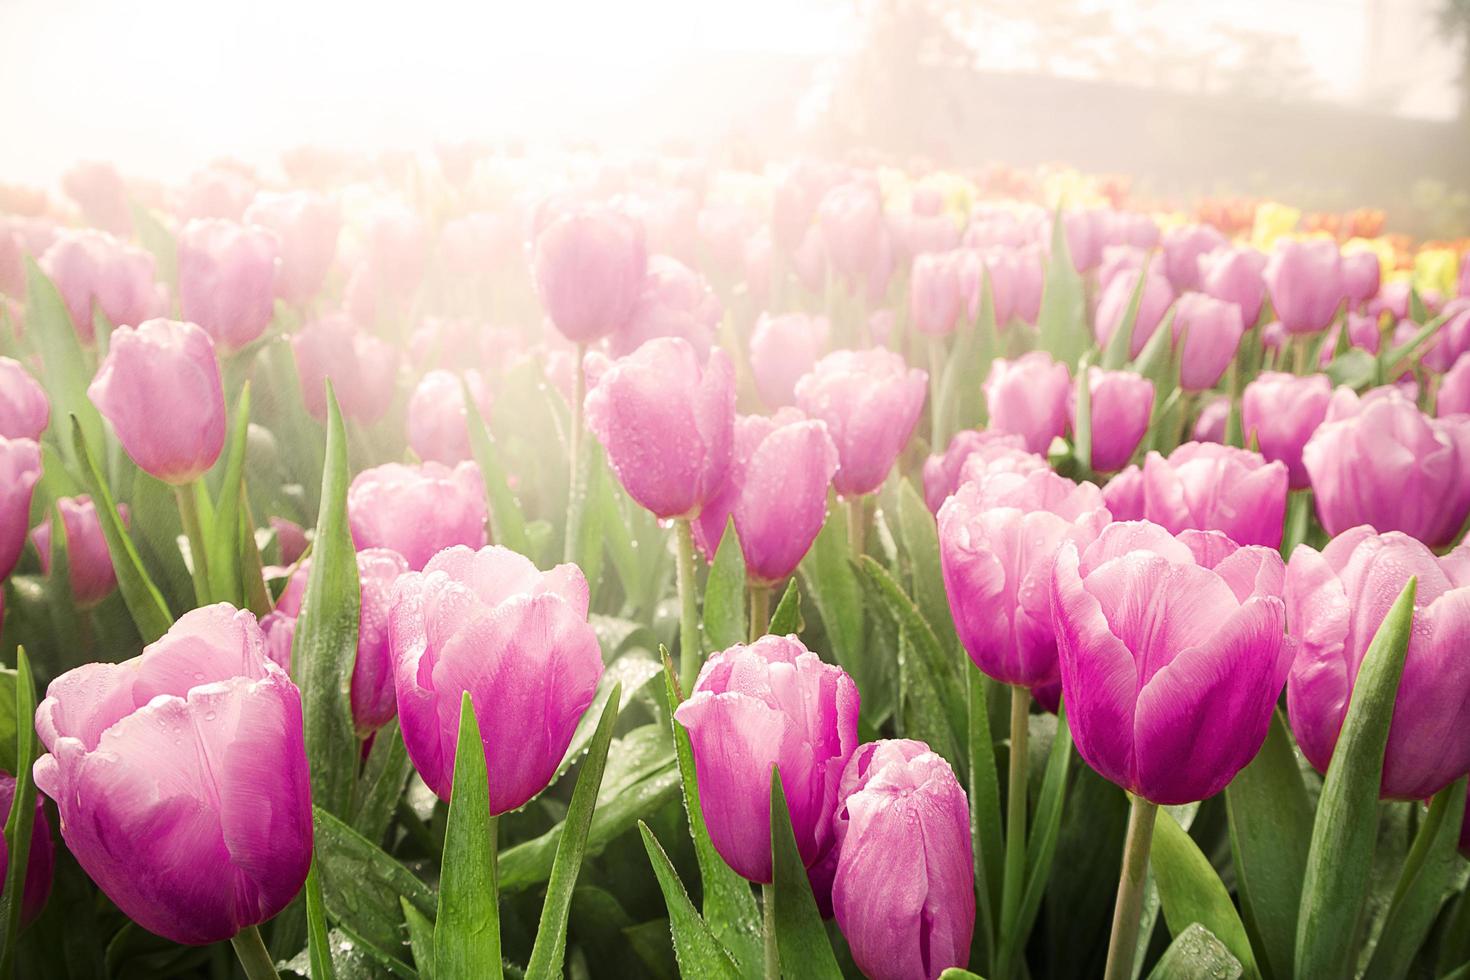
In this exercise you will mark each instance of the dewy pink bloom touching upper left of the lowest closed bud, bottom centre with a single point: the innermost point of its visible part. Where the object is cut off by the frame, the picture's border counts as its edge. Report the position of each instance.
(771, 703)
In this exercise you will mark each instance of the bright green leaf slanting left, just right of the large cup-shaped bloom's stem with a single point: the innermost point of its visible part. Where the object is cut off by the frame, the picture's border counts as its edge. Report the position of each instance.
(1191, 891)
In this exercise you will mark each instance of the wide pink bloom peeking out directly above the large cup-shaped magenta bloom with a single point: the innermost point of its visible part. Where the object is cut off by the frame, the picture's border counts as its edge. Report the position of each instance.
(1209, 487)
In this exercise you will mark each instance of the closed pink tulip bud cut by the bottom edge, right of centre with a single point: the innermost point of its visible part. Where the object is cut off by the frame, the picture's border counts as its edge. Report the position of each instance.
(905, 887)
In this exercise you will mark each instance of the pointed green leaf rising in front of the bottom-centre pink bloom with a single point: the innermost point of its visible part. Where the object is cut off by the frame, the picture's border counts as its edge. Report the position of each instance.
(800, 937)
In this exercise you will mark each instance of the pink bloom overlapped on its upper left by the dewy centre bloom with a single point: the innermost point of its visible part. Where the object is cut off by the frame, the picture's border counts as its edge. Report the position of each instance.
(777, 491)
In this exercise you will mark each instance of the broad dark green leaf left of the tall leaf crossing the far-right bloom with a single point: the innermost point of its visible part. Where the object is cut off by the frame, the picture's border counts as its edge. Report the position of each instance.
(1271, 831)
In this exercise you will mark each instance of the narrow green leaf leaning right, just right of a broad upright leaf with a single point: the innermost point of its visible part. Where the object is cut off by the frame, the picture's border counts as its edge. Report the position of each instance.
(551, 947)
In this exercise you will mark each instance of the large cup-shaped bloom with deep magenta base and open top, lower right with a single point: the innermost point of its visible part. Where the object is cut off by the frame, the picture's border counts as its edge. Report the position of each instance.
(1174, 653)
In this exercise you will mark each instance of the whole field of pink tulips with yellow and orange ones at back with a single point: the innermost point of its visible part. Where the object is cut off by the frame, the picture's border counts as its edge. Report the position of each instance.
(490, 566)
